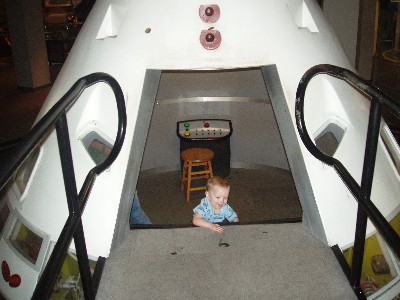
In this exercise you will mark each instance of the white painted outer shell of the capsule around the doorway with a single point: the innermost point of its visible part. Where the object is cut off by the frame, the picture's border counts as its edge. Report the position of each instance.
(254, 33)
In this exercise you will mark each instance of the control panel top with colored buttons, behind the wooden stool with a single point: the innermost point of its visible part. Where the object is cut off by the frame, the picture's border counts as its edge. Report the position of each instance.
(204, 129)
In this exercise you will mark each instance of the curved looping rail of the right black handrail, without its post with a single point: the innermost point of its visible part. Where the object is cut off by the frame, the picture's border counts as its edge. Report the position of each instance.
(360, 84)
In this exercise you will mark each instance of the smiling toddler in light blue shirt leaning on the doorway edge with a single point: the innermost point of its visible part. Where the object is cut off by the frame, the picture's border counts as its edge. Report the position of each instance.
(214, 208)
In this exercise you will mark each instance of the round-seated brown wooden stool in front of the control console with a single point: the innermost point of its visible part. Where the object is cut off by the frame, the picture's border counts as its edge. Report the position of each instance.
(200, 158)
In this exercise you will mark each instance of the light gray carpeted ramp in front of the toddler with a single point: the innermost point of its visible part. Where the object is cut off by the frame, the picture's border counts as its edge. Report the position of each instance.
(264, 261)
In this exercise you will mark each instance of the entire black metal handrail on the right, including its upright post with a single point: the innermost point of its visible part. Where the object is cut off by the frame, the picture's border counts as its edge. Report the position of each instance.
(366, 208)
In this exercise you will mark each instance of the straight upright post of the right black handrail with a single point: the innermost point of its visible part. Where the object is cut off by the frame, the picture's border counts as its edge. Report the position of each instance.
(366, 186)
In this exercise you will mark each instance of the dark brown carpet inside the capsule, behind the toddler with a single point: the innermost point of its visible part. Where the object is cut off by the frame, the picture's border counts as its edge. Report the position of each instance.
(257, 195)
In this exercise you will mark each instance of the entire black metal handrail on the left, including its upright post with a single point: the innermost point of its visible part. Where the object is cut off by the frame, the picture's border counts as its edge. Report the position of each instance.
(76, 203)
